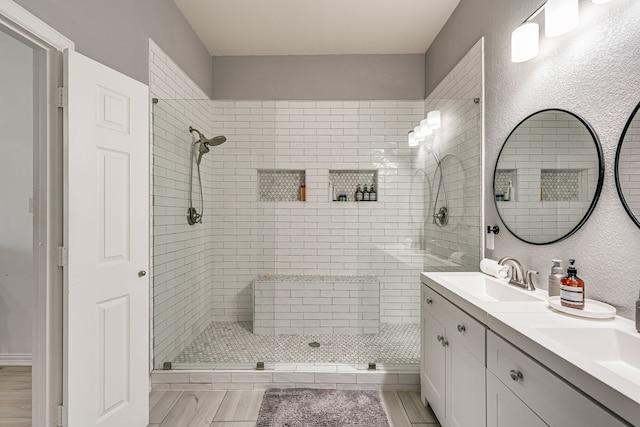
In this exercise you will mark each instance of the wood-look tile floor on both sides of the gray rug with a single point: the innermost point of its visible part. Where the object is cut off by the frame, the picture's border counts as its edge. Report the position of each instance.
(172, 408)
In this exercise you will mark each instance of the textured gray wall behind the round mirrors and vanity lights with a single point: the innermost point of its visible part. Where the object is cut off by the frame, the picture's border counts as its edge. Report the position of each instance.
(591, 71)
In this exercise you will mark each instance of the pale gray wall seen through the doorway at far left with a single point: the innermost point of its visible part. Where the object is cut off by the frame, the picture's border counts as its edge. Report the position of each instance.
(16, 187)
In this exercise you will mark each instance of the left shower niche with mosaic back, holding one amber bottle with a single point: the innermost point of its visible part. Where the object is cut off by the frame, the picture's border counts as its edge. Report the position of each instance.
(280, 185)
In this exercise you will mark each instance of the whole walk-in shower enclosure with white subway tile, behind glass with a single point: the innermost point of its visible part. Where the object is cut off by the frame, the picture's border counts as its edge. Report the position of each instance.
(203, 274)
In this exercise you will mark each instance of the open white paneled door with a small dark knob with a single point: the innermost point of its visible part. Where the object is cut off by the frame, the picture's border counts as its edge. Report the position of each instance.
(107, 236)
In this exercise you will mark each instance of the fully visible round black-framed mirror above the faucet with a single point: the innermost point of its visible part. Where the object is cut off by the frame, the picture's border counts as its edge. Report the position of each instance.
(548, 176)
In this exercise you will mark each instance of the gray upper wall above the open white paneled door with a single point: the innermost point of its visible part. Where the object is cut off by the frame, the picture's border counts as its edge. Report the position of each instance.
(116, 33)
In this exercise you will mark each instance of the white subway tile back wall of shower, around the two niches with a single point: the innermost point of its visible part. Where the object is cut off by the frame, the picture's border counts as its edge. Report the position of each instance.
(317, 237)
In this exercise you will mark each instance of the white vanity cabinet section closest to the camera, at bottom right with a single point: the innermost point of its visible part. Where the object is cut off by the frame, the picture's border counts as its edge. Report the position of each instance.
(522, 392)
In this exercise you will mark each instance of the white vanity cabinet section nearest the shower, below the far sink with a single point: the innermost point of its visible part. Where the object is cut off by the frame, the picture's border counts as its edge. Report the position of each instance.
(452, 368)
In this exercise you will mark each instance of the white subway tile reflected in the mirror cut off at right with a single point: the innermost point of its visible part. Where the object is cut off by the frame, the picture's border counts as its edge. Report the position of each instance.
(627, 167)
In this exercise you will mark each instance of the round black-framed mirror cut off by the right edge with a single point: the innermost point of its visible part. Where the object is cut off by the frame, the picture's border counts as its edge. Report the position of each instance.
(627, 162)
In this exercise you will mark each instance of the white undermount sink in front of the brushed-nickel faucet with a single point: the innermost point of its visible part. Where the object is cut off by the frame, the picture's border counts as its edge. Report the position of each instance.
(487, 288)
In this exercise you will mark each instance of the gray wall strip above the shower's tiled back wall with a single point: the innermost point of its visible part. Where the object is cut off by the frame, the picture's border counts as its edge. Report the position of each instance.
(319, 77)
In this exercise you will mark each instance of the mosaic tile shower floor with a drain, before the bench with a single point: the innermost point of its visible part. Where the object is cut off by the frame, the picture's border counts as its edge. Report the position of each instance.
(234, 343)
